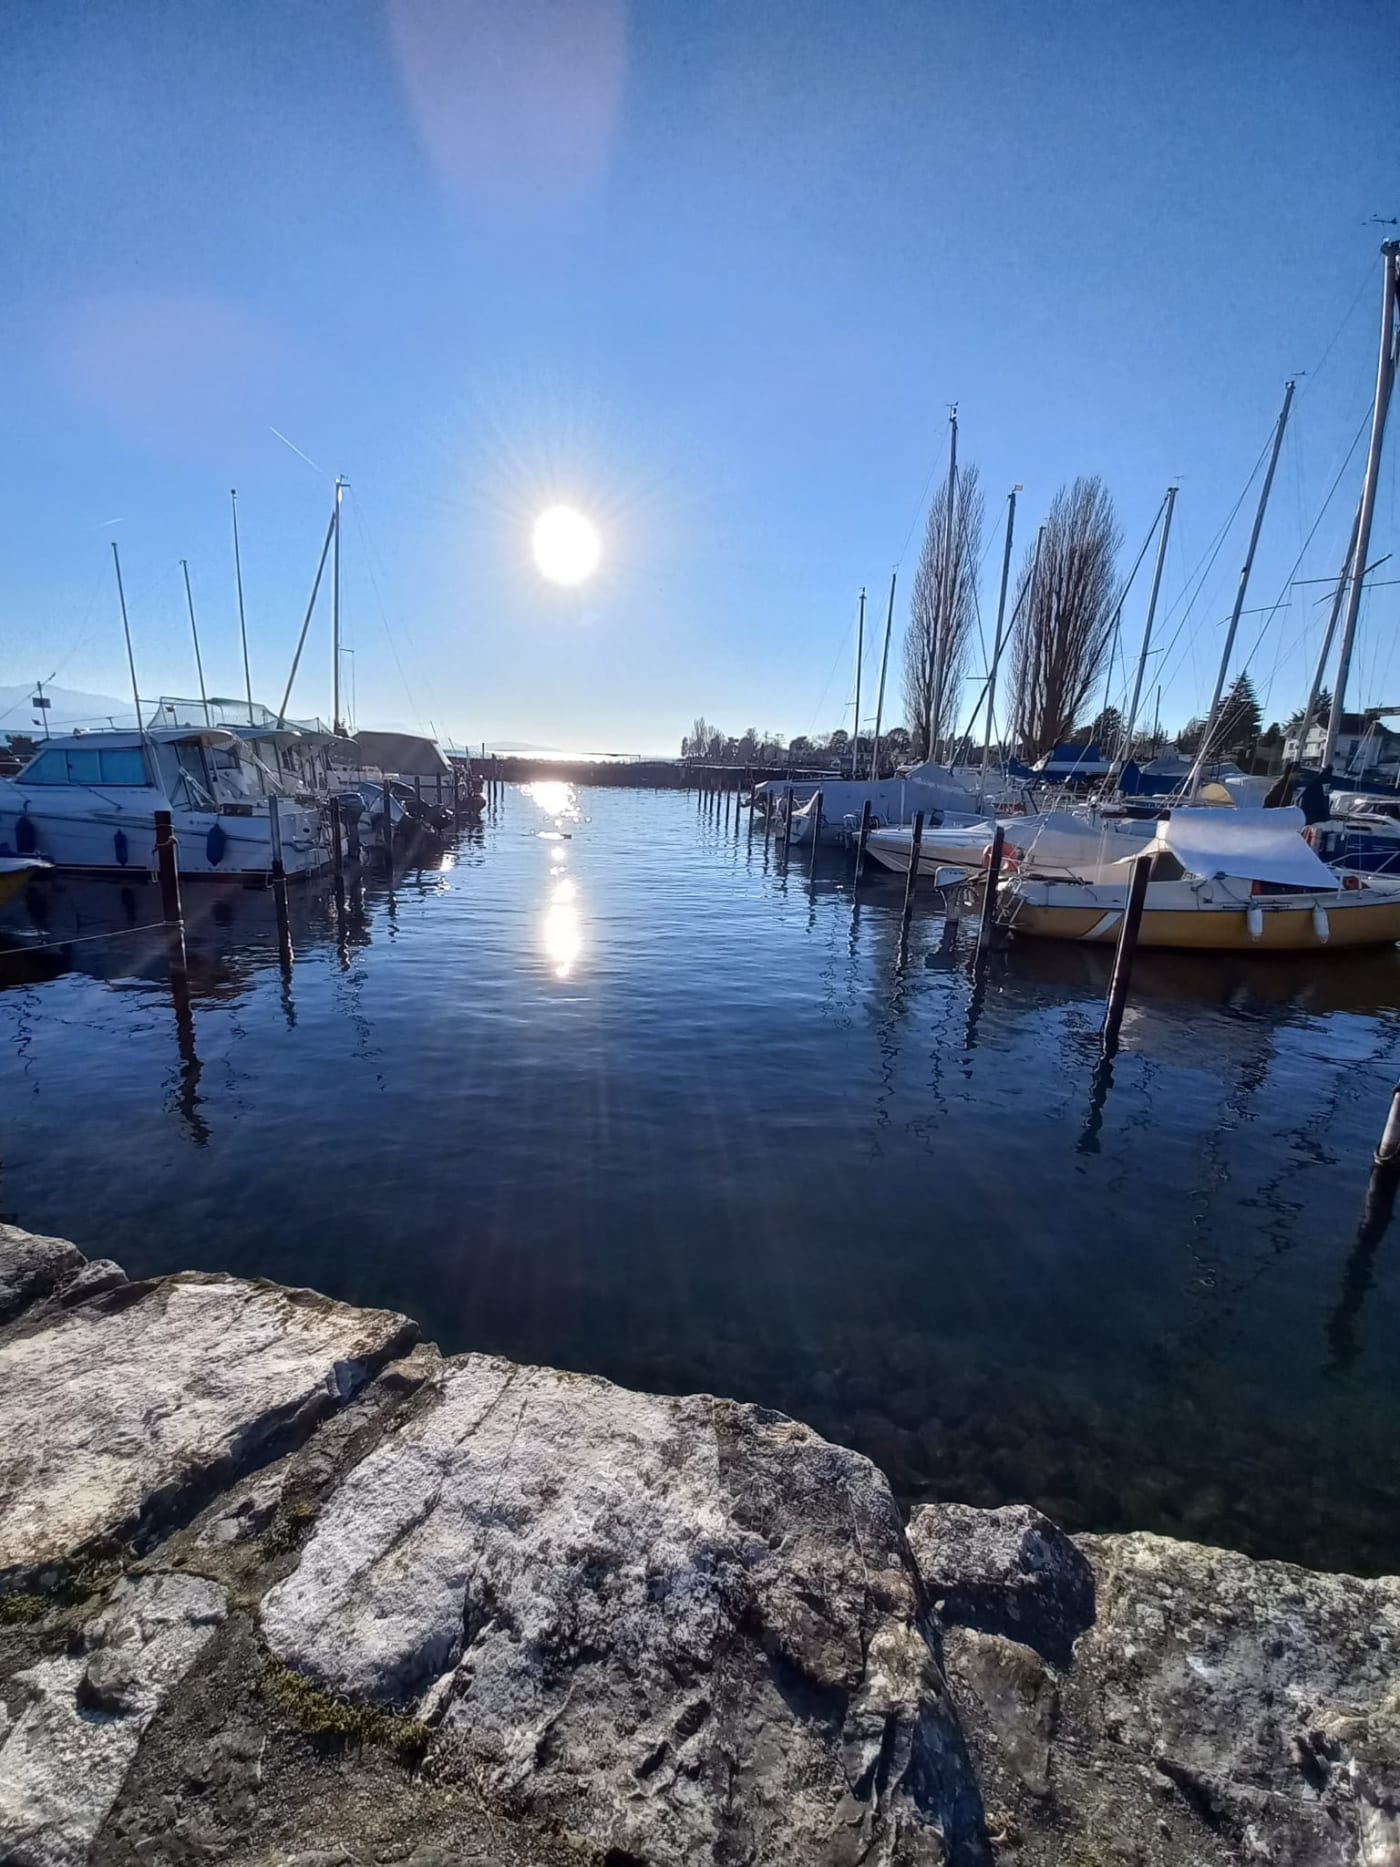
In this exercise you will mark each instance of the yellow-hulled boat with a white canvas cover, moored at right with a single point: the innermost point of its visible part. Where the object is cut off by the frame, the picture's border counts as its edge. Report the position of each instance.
(1224, 880)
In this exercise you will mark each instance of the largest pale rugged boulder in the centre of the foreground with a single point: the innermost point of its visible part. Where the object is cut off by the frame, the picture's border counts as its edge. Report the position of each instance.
(680, 1627)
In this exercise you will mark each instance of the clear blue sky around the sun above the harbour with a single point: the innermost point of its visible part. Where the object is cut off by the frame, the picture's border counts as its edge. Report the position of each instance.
(712, 274)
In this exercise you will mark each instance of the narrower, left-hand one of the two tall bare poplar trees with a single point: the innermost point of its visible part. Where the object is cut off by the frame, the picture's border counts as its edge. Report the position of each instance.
(942, 611)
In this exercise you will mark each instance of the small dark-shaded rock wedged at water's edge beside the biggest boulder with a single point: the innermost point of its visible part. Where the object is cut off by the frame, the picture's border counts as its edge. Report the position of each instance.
(1007, 1573)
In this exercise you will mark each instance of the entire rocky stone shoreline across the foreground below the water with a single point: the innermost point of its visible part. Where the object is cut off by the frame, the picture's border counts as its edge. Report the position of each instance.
(281, 1584)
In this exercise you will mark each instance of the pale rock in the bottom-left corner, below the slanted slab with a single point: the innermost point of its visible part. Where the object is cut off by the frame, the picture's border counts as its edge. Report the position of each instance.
(81, 1717)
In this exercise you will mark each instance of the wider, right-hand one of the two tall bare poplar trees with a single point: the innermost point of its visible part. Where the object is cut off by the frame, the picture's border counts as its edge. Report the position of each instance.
(1067, 628)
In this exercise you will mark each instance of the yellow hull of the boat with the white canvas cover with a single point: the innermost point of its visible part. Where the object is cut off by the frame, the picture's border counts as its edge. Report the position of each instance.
(1220, 929)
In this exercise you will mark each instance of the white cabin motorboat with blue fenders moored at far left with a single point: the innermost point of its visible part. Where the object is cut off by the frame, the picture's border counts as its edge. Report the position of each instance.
(89, 802)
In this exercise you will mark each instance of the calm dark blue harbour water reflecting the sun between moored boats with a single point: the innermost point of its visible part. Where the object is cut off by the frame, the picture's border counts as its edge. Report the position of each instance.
(611, 1091)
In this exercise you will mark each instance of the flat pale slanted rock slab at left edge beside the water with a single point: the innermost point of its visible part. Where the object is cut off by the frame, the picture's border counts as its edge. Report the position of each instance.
(132, 1409)
